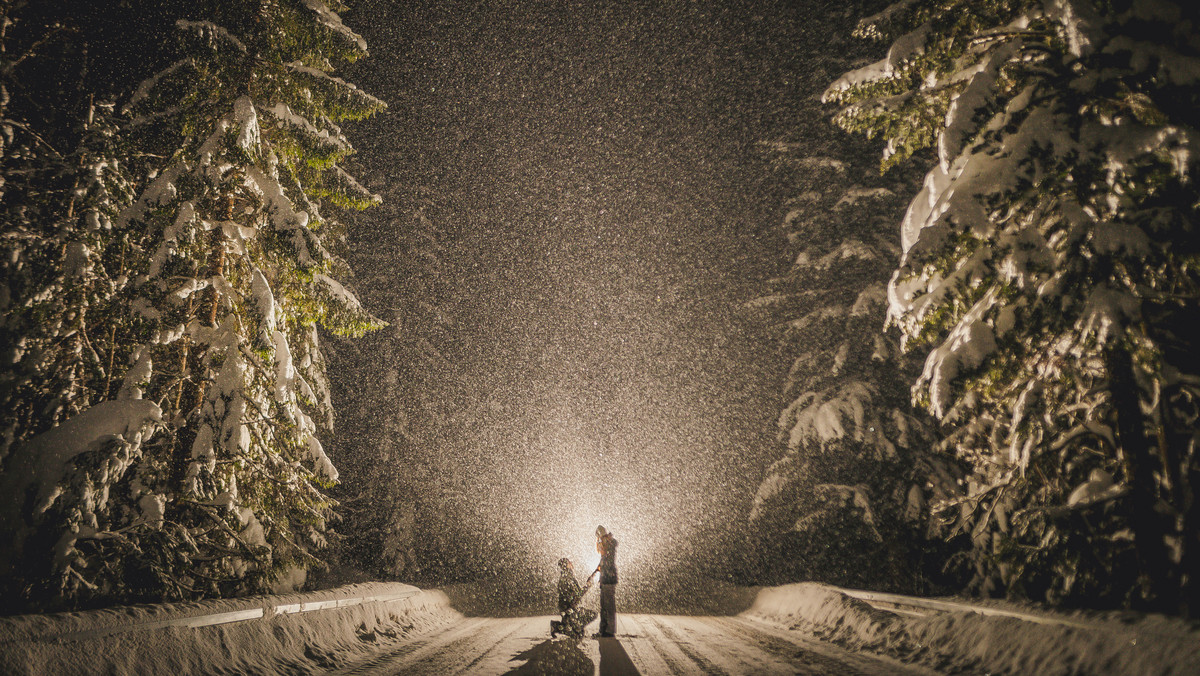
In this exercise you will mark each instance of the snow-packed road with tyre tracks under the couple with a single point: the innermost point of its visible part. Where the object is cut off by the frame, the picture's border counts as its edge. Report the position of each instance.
(646, 644)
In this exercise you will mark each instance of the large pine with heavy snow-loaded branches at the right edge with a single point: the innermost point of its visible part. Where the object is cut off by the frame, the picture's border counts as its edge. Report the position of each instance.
(1051, 278)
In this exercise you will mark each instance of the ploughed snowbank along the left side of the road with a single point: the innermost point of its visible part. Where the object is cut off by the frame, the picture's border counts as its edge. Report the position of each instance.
(104, 642)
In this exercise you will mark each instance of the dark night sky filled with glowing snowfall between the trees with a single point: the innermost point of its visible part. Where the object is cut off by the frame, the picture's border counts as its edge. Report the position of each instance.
(599, 164)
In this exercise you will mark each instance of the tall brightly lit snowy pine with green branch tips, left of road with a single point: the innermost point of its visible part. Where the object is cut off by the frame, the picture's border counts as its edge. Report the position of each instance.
(239, 278)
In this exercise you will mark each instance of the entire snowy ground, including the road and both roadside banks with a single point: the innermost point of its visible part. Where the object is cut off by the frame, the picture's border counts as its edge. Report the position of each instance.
(805, 629)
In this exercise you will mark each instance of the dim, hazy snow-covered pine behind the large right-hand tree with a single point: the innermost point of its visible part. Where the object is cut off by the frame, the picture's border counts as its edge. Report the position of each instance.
(847, 501)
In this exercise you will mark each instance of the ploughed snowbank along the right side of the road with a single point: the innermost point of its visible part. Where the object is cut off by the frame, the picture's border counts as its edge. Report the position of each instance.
(965, 642)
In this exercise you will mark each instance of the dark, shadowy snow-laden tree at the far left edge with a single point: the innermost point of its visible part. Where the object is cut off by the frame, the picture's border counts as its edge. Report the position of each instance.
(64, 267)
